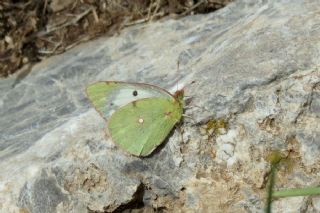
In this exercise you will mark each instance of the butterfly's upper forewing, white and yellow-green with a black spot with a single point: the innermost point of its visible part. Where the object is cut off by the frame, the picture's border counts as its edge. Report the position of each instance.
(109, 96)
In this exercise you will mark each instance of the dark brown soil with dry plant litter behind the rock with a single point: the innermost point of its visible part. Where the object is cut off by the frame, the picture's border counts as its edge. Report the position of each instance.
(31, 30)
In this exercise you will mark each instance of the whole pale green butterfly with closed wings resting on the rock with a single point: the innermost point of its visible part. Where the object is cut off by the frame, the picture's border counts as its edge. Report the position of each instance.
(140, 116)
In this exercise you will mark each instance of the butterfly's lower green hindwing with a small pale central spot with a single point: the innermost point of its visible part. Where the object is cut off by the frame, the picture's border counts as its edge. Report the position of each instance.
(139, 127)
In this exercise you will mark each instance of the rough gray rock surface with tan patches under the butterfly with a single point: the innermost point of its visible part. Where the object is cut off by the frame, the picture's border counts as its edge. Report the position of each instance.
(255, 65)
